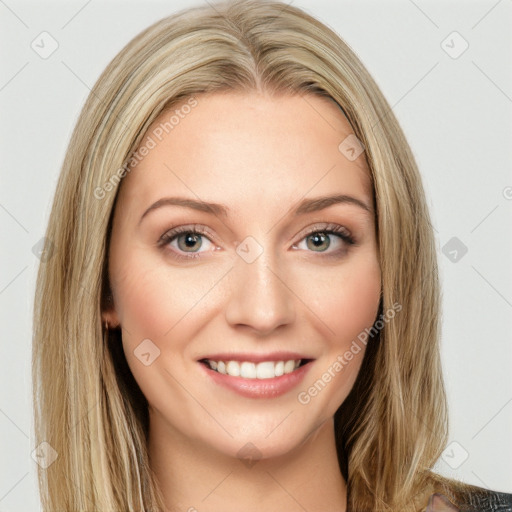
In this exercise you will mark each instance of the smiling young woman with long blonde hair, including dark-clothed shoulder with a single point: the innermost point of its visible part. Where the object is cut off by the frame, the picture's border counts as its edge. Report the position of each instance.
(256, 372)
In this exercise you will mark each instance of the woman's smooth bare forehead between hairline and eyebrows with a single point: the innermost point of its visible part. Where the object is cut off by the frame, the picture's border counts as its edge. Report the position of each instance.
(247, 149)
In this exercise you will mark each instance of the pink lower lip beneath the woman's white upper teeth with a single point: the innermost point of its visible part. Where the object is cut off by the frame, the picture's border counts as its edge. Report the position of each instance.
(259, 388)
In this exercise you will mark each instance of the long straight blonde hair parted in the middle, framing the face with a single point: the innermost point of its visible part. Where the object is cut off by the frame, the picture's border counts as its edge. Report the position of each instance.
(87, 406)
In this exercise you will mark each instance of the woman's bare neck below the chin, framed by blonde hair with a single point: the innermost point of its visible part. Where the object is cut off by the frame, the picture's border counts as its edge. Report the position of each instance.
(197, 478)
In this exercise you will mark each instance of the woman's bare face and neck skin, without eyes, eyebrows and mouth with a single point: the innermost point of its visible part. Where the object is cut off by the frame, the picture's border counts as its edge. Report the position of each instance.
(259, 156)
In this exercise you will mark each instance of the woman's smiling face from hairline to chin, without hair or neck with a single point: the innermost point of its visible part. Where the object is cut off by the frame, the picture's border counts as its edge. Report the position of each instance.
(274, 276)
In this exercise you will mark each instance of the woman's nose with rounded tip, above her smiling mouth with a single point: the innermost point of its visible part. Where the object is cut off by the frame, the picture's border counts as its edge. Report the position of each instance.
(261, 298)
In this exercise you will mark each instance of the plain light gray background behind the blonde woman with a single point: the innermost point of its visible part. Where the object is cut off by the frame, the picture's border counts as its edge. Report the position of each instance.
(456, 113)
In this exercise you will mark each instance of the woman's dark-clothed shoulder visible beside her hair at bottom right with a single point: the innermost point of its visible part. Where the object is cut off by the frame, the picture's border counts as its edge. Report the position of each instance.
(458, 497)
